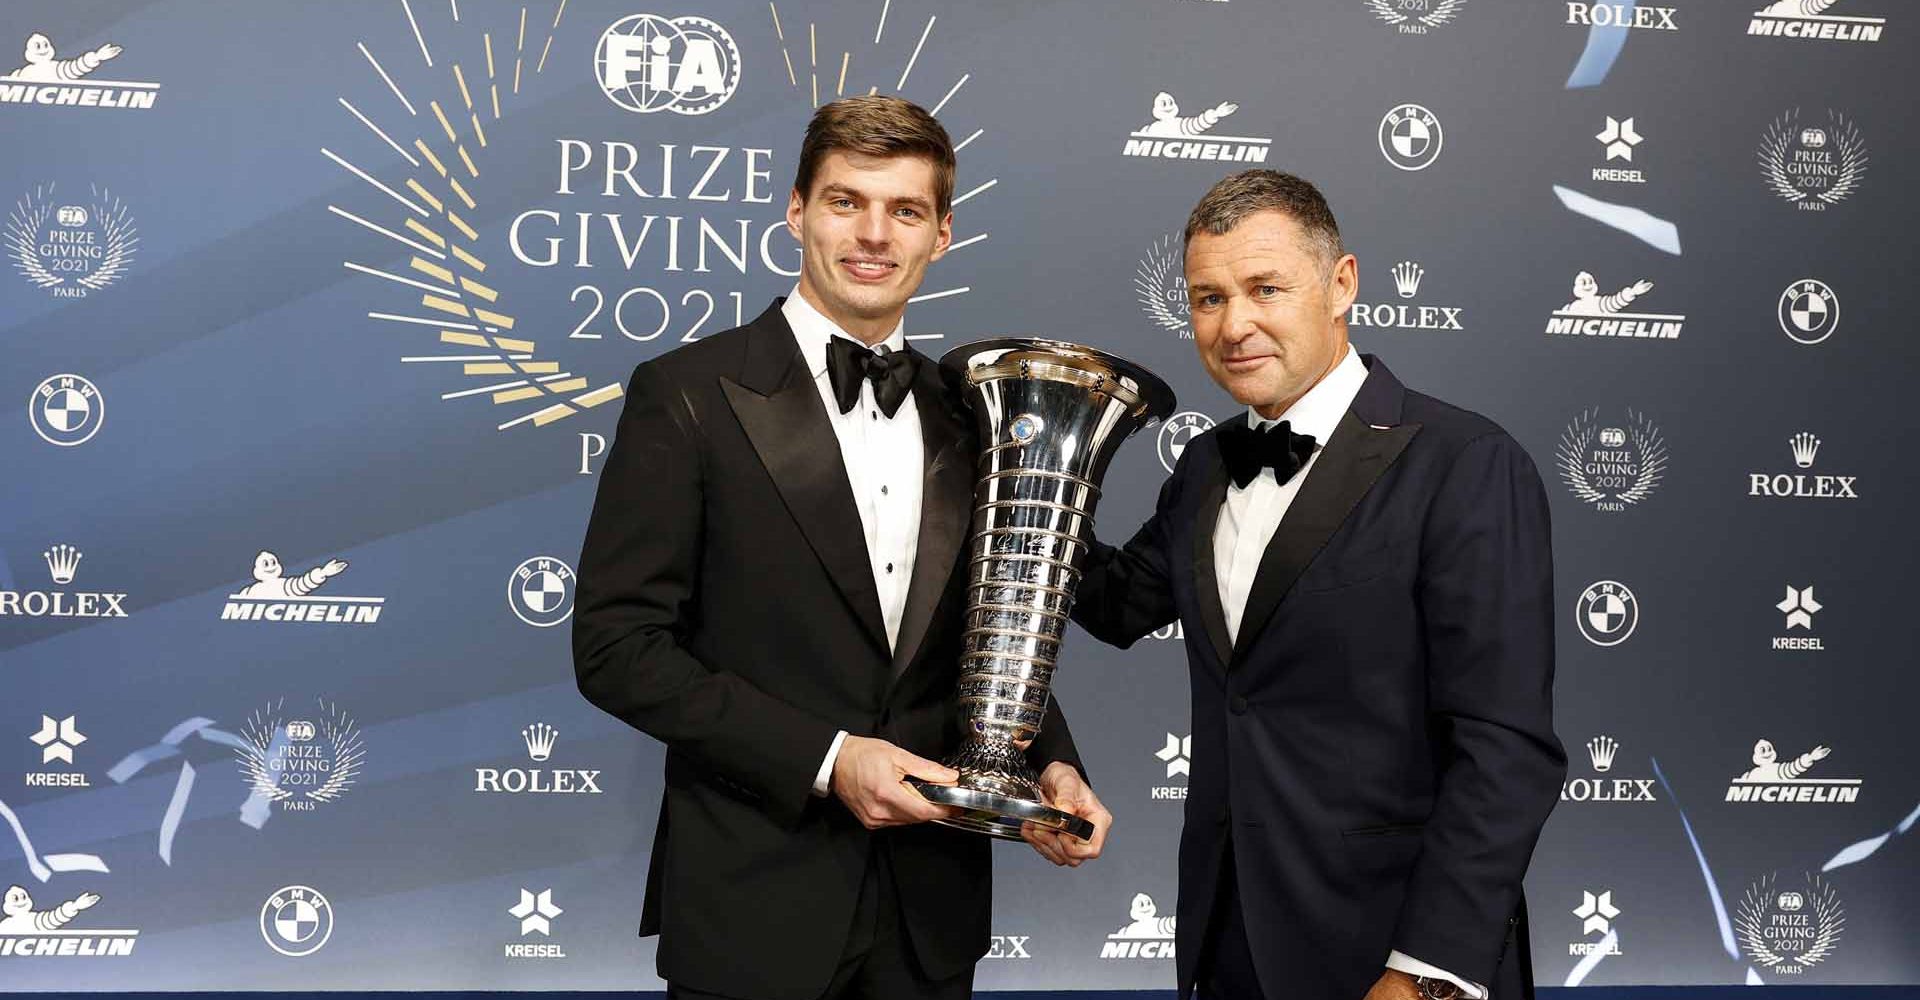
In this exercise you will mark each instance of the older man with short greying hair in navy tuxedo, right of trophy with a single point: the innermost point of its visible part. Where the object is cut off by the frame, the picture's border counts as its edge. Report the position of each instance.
(1366, 584)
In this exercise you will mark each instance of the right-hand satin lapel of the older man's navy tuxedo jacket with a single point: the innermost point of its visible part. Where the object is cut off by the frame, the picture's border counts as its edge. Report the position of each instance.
(1355, 460)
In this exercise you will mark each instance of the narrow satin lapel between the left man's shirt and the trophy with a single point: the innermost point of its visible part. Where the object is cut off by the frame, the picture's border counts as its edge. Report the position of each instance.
(946, 510)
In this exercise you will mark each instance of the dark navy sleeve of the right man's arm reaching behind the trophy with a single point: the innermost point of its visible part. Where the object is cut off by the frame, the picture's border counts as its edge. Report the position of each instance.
(1128, 592)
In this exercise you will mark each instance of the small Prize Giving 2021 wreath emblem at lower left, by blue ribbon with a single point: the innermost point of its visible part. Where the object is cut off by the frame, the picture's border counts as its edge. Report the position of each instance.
(300, 761)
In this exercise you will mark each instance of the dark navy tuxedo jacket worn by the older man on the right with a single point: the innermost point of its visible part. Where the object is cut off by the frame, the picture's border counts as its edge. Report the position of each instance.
(1378, 750)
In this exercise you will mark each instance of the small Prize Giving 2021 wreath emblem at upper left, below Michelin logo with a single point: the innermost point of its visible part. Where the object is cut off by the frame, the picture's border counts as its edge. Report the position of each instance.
(70, 249)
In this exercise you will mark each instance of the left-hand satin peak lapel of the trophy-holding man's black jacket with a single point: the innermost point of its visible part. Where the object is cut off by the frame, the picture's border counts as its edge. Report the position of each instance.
(790, 433)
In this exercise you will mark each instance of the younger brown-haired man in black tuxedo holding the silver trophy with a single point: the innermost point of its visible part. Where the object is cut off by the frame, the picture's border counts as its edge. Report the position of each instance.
(773, 586)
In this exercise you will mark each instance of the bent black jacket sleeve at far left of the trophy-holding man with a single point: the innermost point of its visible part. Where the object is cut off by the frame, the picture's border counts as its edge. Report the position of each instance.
(636, 606)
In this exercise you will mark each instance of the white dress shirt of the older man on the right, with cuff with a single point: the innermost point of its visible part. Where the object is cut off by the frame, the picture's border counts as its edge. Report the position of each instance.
(1251, 515)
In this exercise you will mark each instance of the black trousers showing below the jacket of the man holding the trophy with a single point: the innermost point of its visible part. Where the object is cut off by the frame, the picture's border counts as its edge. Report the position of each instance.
(878, 963)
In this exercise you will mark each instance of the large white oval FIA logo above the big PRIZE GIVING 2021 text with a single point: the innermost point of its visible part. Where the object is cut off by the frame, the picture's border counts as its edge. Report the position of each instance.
(650, 64)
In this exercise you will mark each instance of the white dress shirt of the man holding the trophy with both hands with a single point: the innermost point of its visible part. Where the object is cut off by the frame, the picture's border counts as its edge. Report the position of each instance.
(884, 460)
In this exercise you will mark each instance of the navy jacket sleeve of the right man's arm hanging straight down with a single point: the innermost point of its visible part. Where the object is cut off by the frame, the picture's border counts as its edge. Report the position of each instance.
(1487, 598)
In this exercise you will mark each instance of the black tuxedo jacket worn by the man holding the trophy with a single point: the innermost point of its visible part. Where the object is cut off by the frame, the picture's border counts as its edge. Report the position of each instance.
(727, 607)
